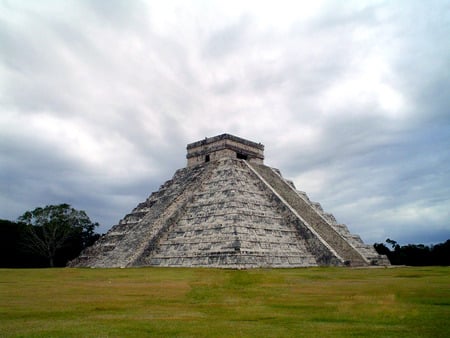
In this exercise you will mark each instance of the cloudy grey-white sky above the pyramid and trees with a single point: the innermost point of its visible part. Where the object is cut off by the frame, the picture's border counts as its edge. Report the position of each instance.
(98, 100)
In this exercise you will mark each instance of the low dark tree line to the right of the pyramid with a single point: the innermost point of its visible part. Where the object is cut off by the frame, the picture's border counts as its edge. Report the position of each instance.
(415, 254)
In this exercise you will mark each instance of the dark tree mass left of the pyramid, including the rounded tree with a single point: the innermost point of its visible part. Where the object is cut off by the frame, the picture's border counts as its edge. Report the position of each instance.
(45, 237)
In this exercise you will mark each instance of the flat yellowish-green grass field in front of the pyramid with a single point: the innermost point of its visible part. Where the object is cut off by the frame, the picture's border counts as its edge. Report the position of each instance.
(164, 302)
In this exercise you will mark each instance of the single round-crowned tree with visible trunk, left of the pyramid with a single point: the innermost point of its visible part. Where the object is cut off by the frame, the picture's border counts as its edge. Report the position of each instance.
(51, 229)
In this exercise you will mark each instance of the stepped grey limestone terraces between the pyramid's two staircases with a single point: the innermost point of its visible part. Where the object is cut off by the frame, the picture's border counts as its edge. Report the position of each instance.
(231, 213)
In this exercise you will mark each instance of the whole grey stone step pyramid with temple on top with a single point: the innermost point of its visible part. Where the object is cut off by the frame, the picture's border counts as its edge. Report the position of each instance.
(228, 209)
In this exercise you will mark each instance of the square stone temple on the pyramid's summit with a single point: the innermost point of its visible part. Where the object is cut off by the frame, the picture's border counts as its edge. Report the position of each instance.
(224, 146)
